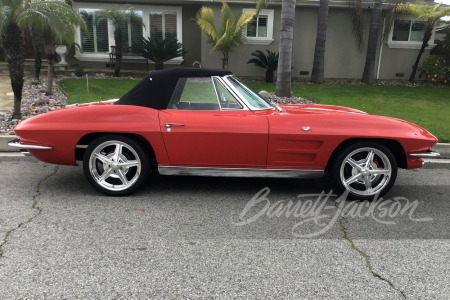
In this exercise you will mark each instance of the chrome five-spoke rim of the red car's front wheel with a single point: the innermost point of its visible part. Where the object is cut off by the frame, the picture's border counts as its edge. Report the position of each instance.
(365, 171)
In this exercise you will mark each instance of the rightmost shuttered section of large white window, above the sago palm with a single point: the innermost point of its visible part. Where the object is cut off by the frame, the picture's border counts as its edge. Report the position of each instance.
(163, 25)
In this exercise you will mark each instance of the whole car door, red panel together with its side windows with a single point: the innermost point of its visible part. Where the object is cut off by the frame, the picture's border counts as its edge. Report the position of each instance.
(206, 126)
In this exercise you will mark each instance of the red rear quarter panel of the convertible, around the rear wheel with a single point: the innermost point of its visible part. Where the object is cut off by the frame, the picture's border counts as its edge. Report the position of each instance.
(63, 129)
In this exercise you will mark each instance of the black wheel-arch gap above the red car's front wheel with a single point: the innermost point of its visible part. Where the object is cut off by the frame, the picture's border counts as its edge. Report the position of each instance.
(393, 145)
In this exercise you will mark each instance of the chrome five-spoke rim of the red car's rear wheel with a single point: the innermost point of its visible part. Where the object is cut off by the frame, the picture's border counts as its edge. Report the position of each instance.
(115, 165)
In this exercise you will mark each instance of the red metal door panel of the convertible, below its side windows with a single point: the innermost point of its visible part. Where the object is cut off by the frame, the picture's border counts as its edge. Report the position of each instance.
(216, 138)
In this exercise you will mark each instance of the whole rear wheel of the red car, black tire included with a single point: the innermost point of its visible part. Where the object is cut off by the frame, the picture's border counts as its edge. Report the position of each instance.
(116, 165)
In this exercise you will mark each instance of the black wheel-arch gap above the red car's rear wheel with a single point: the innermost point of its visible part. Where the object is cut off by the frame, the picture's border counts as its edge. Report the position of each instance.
(87, 139)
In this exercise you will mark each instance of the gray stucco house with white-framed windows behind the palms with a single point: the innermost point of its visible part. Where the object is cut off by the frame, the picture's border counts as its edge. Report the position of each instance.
(344, 59)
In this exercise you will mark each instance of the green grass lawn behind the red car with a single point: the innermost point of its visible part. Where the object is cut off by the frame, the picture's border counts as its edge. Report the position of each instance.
(428, 107)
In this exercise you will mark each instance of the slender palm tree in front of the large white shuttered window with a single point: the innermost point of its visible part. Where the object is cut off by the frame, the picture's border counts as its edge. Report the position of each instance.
(119, 19)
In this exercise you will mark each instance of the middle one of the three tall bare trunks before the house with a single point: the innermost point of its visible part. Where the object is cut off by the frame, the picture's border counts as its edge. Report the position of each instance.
(317, 74)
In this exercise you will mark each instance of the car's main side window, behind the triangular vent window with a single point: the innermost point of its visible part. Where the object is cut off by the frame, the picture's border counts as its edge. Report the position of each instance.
(194, 94)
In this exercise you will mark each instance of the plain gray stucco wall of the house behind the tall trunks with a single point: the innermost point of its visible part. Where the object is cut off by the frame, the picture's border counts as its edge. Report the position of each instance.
(343, 58)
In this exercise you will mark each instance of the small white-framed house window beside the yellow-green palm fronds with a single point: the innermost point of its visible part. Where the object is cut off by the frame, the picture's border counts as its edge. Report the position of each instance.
(260, 29)
